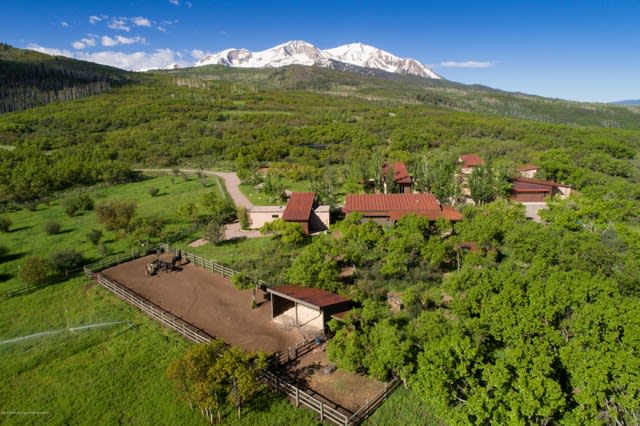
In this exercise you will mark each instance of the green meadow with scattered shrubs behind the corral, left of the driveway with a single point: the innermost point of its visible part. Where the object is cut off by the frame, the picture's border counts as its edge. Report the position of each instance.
(27, 236)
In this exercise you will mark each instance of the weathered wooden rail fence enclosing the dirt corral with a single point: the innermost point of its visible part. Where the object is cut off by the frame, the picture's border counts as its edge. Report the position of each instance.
(279, 383)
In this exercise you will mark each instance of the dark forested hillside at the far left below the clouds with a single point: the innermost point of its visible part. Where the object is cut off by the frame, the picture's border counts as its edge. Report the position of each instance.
(29, 79)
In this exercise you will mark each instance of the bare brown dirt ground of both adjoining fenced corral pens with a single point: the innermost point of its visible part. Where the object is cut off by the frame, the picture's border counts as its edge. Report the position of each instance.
(211, 303)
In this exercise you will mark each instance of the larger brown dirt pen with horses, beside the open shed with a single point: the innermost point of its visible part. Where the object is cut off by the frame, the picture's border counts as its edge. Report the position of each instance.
(209, 302)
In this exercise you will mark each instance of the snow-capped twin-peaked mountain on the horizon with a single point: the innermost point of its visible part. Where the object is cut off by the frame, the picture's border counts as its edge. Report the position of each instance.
(302, 53)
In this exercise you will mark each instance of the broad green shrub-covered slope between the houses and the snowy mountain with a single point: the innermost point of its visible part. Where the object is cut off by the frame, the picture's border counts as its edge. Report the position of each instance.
(168, 121)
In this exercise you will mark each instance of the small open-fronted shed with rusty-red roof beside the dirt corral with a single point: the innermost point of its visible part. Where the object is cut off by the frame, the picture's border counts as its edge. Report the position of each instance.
(305, 307)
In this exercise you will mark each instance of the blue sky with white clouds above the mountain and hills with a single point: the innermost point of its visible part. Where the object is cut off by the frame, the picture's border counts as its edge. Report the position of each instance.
(580, 50)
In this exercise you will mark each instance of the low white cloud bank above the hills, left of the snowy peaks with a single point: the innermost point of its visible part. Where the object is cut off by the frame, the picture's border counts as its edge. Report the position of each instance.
(157, 59)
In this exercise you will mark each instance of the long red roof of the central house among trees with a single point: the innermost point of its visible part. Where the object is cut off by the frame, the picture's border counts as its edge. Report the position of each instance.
(385, 208)
